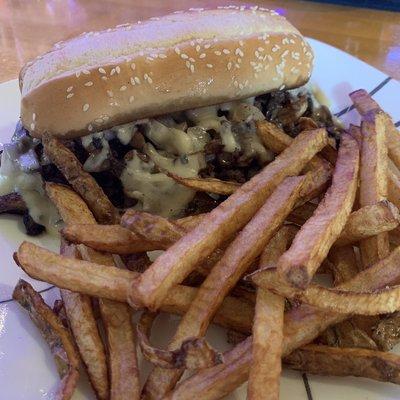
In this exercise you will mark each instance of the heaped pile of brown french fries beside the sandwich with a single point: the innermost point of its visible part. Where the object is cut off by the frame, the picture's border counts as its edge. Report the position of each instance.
(249, 266)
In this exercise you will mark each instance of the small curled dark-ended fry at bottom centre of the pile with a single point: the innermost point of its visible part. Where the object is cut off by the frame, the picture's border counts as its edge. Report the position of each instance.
(194, 353)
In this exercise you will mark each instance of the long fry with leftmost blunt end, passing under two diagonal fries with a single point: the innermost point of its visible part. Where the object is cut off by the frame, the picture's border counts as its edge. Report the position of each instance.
(113, 283)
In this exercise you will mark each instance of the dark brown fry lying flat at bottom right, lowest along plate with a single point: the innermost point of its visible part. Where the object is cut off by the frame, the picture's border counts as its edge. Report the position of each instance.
(333, 361)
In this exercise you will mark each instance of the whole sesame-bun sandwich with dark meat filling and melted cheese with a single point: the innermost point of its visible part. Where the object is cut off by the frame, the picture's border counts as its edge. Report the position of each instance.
(180, 94)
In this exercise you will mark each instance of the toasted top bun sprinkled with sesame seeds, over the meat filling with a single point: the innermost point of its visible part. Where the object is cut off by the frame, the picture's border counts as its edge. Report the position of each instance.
(176, 62)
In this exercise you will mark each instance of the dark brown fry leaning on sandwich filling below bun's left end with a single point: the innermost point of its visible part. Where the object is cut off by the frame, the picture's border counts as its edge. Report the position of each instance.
(80, 180)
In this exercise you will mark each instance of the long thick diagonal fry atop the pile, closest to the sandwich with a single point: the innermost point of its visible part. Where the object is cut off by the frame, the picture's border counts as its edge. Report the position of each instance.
(172, 267)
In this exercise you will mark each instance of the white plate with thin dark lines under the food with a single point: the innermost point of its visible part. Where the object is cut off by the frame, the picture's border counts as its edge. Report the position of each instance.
(27, 371)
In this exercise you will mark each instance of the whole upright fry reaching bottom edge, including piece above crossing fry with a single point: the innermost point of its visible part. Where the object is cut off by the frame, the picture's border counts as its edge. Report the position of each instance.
(268, 327)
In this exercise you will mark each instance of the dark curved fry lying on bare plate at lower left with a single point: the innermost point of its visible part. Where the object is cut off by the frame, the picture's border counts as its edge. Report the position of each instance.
(56, 335)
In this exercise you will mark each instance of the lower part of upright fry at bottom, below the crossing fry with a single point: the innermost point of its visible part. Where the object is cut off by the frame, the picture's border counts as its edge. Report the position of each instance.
(266, 365)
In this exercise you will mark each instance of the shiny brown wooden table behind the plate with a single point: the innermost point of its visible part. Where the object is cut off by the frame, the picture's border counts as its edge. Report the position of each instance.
(29, 27)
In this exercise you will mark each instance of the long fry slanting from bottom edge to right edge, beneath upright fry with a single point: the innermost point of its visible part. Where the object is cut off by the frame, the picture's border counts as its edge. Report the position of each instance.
(301, 325)
